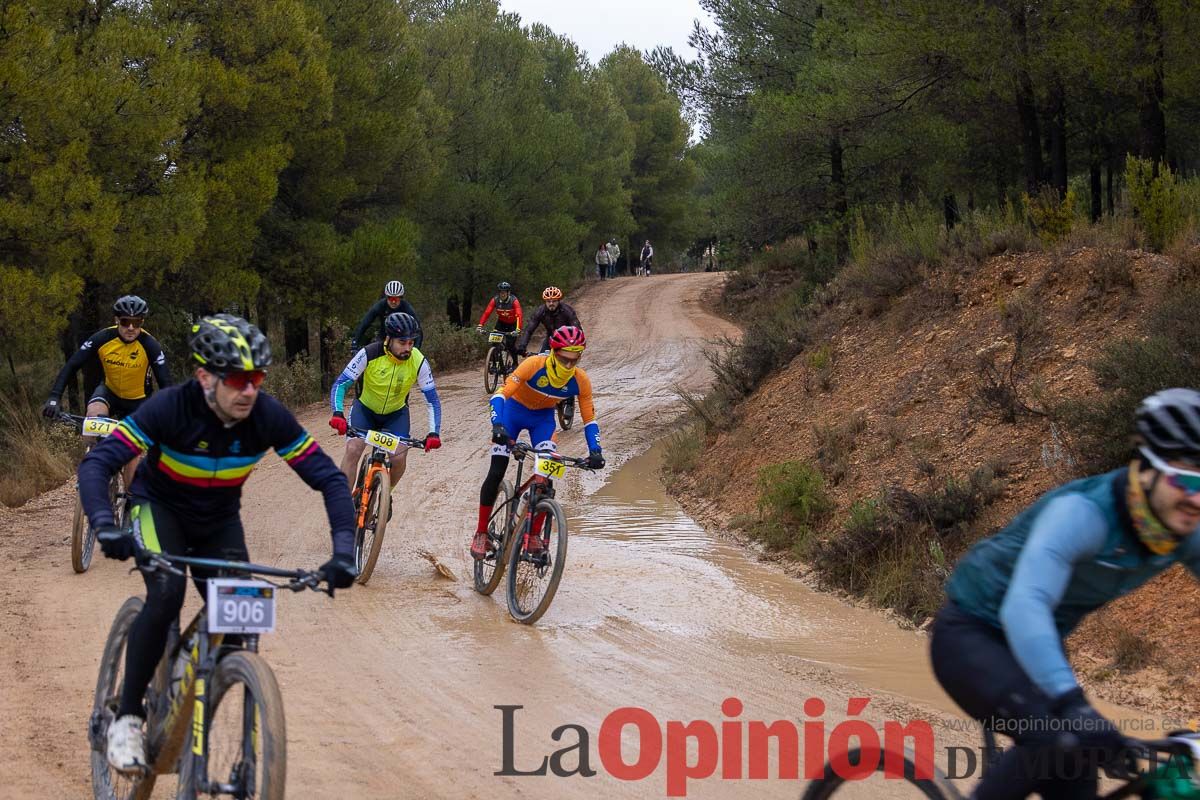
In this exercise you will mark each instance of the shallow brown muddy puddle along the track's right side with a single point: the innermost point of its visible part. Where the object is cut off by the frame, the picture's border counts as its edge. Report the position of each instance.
(638, 558)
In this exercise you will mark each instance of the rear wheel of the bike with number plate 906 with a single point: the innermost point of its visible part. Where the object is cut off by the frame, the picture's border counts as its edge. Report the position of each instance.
(106, 783)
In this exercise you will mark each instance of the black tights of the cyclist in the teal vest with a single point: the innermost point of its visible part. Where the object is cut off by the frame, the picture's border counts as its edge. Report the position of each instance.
(977, 670)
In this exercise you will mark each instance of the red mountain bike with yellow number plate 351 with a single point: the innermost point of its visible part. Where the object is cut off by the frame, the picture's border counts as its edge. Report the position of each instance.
(527, 537)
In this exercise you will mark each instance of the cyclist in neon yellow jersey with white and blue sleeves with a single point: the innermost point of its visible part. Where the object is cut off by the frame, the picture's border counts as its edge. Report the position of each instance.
(386, 372)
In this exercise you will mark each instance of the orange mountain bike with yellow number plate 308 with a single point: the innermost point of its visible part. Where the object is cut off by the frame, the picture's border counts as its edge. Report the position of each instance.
(373, 496)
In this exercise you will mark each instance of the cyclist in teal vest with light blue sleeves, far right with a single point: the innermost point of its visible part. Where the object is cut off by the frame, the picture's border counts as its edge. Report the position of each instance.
(997, 645)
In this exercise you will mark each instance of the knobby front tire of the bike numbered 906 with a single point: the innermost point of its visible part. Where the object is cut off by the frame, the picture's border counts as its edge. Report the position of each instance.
(250, 671)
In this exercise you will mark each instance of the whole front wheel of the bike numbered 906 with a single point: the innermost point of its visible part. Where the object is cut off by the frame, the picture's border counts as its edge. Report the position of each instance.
(245, 736)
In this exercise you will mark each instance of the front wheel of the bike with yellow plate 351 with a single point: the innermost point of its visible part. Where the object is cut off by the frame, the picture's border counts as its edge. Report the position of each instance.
(536, 563)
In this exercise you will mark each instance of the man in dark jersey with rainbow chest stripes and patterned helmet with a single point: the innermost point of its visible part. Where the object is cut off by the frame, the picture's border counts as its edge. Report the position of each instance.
(202, 440)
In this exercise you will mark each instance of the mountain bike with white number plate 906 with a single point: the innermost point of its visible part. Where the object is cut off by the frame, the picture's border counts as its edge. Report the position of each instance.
(212, 684)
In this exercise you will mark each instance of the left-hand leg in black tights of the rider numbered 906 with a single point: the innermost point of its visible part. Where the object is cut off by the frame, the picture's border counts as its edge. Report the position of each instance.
(160, 532)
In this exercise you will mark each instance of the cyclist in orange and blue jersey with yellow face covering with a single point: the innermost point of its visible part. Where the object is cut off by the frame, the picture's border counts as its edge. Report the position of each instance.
(526, 402)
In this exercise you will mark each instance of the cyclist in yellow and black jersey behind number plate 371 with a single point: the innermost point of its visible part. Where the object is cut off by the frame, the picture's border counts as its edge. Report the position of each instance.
(127, 353)
